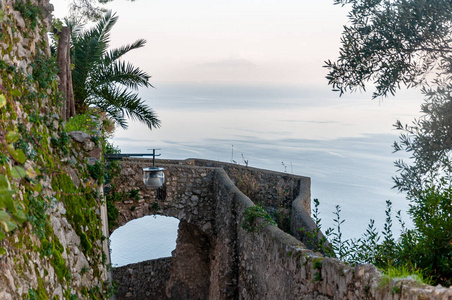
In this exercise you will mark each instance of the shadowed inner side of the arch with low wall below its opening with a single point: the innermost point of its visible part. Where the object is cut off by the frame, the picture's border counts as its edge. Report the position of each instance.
(184, 275)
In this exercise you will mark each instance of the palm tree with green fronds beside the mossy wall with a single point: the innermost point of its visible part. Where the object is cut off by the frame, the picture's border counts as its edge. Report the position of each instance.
(101, 79)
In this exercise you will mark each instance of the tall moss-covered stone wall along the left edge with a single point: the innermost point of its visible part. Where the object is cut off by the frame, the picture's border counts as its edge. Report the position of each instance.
(51, 233)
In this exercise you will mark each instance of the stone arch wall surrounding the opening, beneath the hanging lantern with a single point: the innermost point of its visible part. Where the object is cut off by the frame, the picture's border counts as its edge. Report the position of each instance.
(186, 195)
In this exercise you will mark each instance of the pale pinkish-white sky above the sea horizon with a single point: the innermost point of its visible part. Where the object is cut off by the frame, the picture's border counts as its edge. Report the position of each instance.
(259, 41)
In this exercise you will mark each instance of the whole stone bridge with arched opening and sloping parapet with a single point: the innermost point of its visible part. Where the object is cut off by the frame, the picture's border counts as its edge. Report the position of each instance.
(215, 258)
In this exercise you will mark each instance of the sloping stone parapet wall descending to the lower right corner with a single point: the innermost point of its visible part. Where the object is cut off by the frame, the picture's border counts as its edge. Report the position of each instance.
(271, 264)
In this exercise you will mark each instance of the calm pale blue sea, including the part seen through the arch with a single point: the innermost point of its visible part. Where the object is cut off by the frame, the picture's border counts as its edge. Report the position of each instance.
(343, 144)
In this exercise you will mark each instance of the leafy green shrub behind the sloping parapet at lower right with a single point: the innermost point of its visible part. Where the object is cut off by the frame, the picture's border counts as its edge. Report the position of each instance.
(424, 251)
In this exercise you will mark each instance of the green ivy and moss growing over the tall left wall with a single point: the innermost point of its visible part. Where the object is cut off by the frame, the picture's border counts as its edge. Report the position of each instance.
(35, 172)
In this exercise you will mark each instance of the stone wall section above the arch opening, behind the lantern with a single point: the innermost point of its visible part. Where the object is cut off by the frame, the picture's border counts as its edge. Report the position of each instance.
(186, 194)
